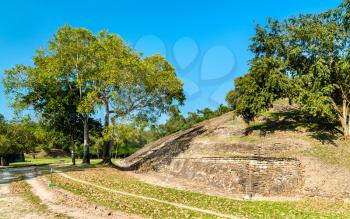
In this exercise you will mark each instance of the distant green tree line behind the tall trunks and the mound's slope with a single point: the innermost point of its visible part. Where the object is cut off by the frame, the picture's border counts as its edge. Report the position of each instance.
(24, 135)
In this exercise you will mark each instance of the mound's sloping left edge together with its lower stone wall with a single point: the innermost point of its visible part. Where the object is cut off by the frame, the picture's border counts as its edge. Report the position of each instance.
(239, 174)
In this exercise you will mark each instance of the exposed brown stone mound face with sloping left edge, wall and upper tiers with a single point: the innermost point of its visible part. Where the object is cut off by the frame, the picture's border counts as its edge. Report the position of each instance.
(249, 171)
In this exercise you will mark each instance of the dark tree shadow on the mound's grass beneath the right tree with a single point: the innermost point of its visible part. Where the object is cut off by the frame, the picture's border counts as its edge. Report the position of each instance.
(320, 129)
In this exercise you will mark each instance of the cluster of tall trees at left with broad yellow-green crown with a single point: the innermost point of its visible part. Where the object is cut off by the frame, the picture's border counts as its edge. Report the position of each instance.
(80, 73)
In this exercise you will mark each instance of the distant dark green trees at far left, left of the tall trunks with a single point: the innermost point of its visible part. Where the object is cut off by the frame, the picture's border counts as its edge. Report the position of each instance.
(23, 135)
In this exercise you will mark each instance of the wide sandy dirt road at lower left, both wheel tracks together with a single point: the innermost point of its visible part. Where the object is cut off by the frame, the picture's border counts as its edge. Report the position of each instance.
(60, 203)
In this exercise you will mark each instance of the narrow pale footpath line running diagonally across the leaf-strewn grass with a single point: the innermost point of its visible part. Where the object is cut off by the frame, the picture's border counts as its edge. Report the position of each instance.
(149, 198)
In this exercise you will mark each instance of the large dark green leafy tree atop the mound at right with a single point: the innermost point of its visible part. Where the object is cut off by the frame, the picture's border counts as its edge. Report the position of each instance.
(304, 58)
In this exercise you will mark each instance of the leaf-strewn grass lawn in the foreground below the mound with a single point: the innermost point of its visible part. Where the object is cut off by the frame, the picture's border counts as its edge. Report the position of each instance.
(117, 180)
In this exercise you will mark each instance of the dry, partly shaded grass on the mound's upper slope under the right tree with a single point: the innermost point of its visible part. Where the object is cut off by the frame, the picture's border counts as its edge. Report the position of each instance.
(325, 138)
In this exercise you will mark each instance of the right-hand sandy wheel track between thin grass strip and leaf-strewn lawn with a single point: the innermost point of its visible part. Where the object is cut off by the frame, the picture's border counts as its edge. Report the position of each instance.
(65, 203)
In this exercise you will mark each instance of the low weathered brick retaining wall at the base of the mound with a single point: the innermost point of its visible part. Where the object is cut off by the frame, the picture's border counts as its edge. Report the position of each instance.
(255, 175)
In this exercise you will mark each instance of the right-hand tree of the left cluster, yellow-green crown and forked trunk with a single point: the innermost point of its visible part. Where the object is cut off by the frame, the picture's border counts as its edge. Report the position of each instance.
(132, 88)
